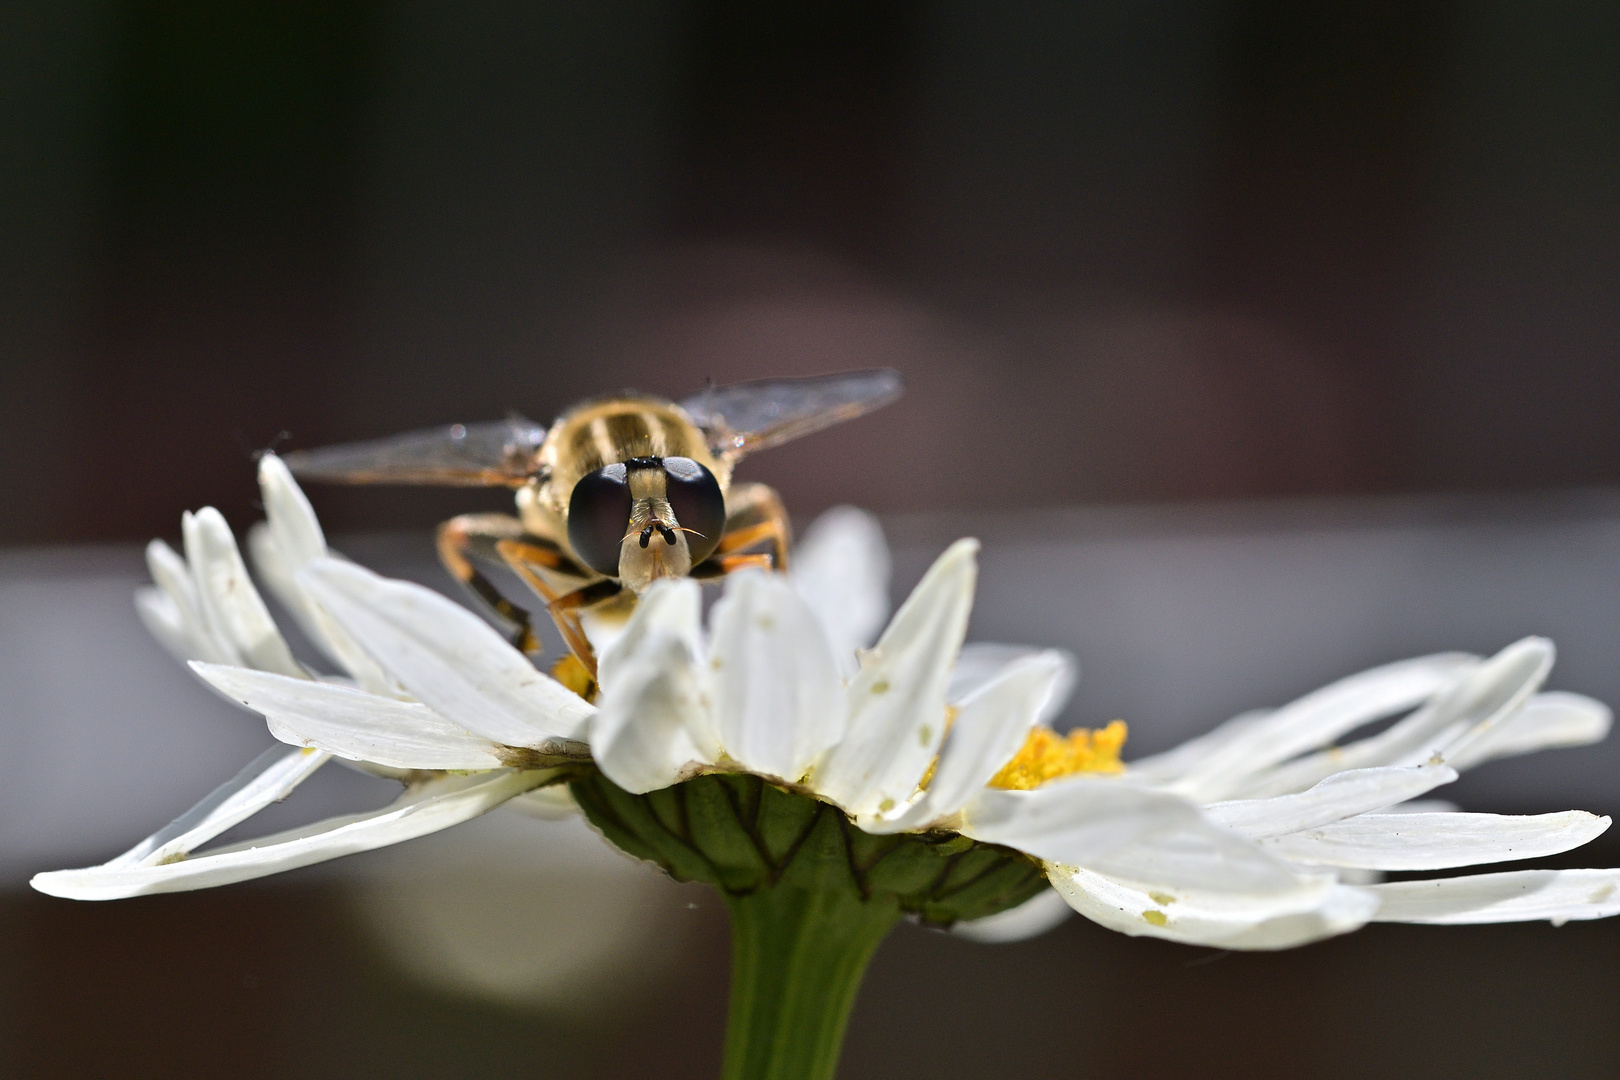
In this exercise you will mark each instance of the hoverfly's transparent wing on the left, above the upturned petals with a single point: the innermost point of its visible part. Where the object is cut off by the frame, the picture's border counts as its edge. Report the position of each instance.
(495, 454)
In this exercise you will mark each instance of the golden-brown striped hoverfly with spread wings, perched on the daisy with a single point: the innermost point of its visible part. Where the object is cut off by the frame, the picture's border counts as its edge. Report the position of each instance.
(616, 495)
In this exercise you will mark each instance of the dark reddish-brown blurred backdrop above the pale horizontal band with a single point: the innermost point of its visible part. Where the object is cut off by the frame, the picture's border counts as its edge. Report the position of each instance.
(1123, 252)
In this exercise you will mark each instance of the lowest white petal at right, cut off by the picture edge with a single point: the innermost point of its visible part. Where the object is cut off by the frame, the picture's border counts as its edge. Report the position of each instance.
(1507, 898)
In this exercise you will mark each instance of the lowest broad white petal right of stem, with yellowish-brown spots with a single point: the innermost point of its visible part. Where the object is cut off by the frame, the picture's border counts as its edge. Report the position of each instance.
(1316, 908)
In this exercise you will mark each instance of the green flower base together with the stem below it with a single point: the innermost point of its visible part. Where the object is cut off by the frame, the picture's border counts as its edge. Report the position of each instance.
(811, 898)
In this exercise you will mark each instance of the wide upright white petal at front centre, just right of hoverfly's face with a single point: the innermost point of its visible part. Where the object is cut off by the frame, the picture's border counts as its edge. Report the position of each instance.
(778, 697)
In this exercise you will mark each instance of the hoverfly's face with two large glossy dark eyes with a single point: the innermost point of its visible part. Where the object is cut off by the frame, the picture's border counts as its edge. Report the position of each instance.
(647, 519)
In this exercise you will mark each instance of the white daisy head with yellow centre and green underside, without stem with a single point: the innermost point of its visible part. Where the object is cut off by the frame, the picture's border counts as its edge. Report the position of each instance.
(770, 746)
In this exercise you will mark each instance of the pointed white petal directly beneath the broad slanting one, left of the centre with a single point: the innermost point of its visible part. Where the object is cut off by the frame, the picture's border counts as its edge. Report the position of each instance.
(352, 723)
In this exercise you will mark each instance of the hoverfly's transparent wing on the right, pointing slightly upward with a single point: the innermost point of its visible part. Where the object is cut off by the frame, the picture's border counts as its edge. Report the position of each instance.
(749, 417)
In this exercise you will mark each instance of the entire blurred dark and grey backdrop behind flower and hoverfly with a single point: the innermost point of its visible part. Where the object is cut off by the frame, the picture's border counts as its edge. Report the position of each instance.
(1260, 341)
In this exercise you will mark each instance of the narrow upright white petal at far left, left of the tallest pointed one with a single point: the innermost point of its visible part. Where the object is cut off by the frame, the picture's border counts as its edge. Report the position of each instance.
(231, 606)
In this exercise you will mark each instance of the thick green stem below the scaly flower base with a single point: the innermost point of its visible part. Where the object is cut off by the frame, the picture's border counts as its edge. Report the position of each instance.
(796, 963)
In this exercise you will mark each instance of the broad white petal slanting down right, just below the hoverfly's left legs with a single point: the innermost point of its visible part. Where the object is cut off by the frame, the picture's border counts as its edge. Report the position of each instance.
(446, 657)
